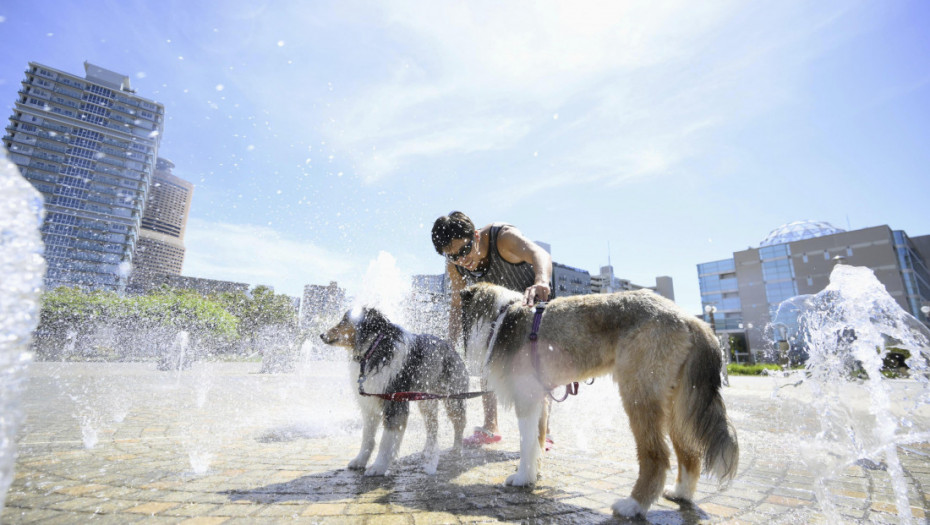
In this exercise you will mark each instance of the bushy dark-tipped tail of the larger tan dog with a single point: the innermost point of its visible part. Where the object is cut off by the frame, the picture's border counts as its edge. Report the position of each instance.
(712, 432)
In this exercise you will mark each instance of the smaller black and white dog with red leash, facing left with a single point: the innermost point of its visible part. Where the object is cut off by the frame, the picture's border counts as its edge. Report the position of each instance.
(393, 360)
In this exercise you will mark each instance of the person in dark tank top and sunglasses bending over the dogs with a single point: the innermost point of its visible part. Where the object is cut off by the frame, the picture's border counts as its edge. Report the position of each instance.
(498, 254)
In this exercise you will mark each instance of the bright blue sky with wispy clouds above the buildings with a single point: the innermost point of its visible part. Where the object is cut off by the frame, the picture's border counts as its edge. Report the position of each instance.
(319, 134)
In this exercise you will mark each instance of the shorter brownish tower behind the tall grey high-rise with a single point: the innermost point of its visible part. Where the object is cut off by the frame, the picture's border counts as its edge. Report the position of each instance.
(161, 239)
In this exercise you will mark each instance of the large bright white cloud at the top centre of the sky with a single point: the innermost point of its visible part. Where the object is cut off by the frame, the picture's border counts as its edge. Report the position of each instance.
(641, 83)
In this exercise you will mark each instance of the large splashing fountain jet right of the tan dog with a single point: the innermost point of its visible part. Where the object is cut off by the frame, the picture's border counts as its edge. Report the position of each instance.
(861, 417)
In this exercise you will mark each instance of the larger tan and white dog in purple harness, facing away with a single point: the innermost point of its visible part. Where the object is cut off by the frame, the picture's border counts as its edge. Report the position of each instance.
(665, 362)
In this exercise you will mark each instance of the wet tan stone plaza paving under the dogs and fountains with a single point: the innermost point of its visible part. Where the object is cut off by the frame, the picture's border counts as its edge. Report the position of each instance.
(221, 443)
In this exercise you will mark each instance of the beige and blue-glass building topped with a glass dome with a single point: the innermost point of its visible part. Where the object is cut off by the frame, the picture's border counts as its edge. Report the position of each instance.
(740, 295)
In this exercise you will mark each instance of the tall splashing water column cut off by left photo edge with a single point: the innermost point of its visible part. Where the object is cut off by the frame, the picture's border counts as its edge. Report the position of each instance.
(22, 268)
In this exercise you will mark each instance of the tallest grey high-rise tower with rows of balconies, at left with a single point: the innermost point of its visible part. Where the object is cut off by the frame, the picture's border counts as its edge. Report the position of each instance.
(89, 145)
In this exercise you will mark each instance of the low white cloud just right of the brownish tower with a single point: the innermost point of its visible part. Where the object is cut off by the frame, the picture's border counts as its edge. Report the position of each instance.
(260, 255)
